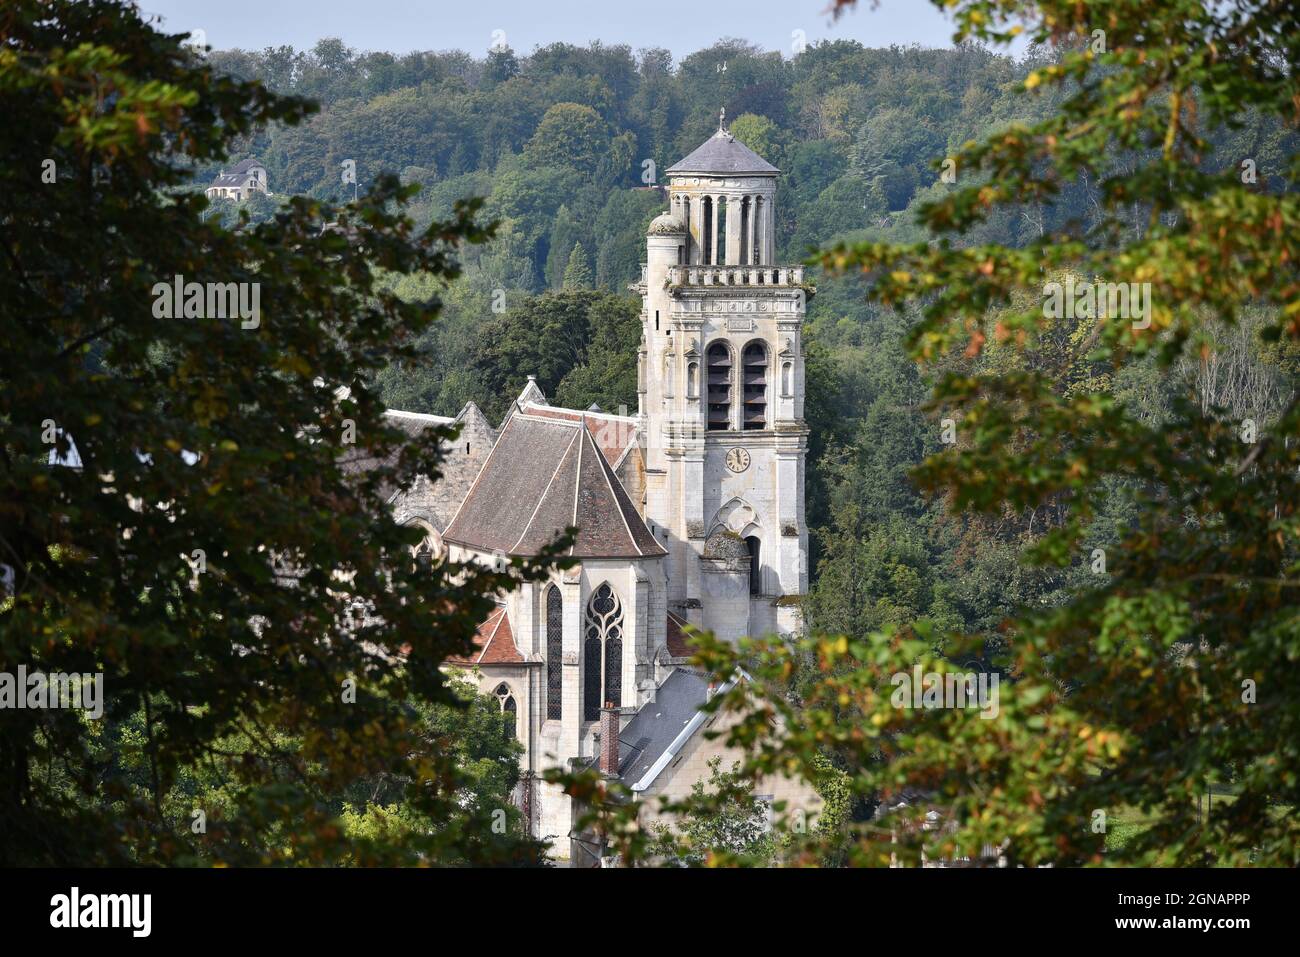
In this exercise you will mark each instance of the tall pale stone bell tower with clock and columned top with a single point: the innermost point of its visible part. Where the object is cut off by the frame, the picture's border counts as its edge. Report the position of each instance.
(722, 396)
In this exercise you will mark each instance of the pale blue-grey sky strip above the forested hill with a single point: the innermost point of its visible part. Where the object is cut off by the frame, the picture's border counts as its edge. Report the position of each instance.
(682, 27)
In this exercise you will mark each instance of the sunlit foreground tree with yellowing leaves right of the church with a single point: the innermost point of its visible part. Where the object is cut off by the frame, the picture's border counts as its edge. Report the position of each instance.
(1171, 670)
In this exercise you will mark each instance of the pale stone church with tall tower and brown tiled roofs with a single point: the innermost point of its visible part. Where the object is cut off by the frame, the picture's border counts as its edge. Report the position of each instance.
(690, 513)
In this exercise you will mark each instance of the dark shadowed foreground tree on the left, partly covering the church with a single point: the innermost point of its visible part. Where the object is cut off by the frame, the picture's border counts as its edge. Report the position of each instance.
(224, 557)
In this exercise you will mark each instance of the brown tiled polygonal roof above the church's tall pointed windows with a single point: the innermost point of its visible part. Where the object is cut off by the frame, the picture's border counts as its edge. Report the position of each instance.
(545, 474)
